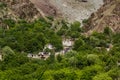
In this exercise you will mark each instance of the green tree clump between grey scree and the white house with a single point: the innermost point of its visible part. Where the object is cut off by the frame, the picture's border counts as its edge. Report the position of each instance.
(70, 30)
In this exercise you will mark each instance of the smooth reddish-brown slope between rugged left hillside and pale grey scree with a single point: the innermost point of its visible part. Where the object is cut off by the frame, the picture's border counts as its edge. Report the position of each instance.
(45, 7)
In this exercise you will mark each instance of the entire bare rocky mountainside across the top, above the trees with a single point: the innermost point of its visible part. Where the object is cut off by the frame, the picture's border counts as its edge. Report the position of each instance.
(107, 15)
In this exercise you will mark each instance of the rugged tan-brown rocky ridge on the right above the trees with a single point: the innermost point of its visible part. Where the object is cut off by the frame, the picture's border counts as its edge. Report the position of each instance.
(107, 16)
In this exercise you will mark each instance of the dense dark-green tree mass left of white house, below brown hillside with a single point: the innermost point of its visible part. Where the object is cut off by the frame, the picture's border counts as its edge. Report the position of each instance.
(29, 37)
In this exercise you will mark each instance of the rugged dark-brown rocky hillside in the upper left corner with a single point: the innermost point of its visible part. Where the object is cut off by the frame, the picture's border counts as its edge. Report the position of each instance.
(21, 9)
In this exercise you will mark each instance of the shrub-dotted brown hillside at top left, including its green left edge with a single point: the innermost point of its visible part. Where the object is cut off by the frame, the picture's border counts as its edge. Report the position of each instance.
(17, 10)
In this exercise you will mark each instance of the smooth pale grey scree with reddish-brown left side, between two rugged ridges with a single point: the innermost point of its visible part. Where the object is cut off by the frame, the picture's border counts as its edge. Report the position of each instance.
(69, 9)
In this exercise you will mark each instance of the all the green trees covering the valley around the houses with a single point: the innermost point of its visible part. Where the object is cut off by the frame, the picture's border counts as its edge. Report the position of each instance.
(89, 59)
